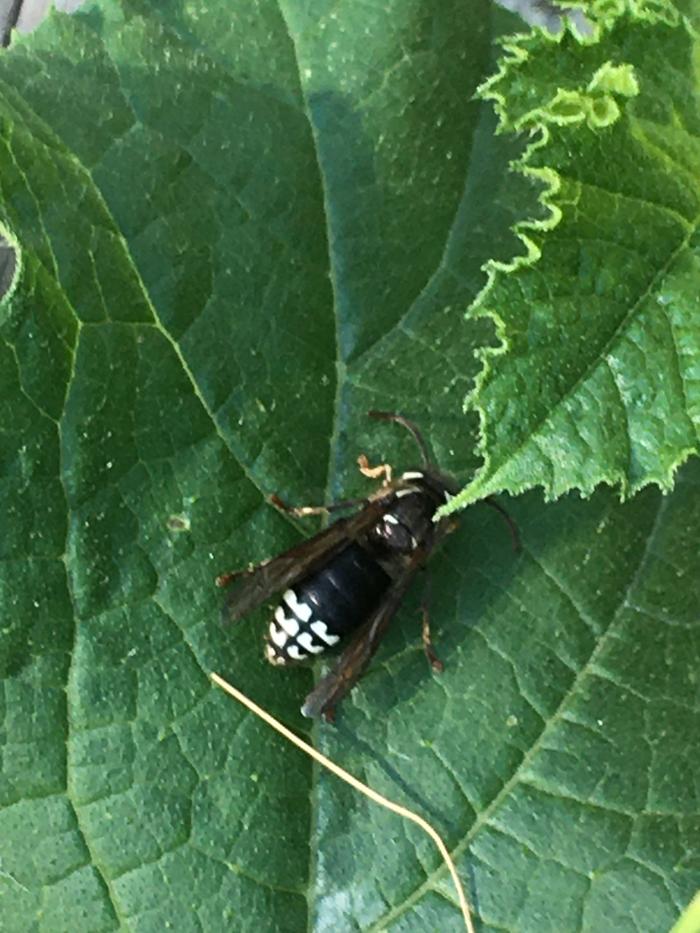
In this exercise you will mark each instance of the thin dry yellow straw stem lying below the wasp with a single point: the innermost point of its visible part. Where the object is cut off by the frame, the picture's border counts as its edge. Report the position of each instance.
(358, 785)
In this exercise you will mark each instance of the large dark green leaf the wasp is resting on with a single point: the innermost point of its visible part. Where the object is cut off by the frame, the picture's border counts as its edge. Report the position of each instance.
(238, 230)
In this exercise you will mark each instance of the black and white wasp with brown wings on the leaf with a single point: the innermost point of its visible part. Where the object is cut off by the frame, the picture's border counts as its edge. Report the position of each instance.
(350, 578)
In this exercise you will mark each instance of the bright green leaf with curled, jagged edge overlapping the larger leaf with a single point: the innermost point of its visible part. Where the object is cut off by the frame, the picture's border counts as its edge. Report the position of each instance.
(596, 379)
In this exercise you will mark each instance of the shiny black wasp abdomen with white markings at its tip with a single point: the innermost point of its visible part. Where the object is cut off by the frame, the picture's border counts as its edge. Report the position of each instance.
(325, 606)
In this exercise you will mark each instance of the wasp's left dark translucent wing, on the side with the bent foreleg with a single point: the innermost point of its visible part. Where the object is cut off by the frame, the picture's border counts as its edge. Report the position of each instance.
(279, 572)
